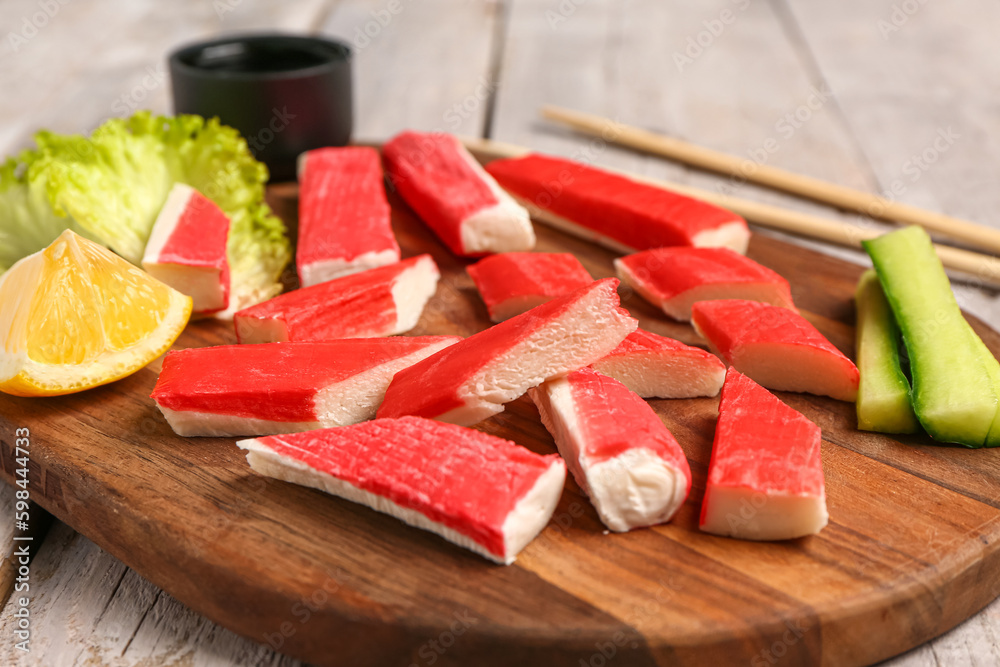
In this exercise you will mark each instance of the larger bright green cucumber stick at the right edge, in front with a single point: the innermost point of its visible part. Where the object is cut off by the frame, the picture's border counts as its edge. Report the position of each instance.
(953, 392)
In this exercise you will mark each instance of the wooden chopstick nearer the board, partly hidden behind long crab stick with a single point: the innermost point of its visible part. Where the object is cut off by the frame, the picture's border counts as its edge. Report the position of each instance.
(982, 269)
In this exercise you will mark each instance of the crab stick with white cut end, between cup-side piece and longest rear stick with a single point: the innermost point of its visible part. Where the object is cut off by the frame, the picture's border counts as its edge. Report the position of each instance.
(452, 194)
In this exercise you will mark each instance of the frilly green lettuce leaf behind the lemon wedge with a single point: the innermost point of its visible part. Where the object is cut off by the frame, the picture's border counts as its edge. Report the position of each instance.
(110, 187)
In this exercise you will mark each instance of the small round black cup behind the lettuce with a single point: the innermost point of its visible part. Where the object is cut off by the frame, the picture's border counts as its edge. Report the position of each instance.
(285, 93)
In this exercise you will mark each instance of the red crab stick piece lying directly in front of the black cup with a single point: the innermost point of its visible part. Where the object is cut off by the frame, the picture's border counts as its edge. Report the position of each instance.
(343, 214)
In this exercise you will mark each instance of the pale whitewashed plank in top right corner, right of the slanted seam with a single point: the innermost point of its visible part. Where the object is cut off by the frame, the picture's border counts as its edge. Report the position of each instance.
(927, 126)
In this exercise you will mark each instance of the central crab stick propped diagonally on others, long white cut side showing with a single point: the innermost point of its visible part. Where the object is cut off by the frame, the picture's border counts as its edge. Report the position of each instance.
(473, 379)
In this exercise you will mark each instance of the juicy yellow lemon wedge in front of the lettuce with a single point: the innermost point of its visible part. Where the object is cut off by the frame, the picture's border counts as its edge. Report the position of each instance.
(75, 315)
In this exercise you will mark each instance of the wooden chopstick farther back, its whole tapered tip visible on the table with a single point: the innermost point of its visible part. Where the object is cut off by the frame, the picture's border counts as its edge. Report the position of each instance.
(974, 234)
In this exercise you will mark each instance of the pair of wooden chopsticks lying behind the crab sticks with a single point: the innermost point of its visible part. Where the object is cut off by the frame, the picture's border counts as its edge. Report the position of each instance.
(981, 267)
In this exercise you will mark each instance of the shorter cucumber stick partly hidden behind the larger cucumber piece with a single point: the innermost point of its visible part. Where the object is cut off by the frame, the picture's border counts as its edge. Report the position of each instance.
(884, 394)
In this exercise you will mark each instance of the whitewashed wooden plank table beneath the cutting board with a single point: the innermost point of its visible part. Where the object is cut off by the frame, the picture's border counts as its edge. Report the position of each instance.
(854, 91)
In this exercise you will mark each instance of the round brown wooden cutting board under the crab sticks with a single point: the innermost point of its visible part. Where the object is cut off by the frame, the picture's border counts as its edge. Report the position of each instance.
(910, 551)
